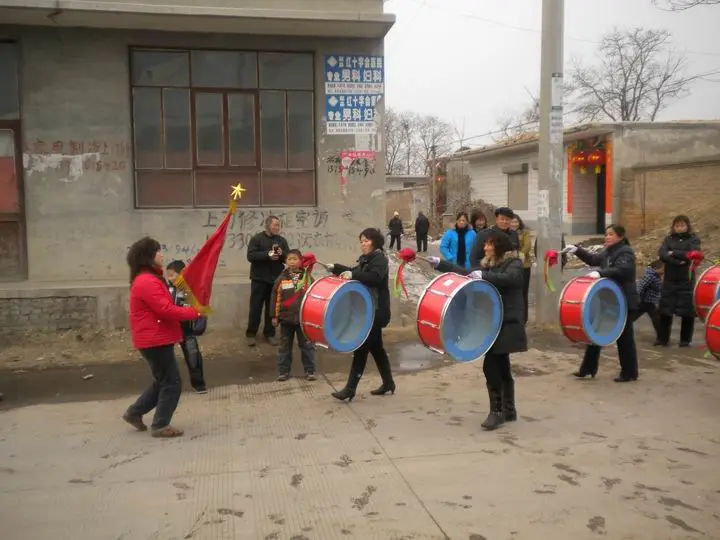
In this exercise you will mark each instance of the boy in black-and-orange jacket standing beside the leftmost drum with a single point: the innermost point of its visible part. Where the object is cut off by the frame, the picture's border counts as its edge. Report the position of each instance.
(285, 303)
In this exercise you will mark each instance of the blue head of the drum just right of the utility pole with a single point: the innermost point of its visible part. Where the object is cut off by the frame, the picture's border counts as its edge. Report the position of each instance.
(604, 312)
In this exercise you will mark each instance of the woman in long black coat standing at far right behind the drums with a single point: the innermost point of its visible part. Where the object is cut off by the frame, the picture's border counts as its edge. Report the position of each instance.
(676, 297)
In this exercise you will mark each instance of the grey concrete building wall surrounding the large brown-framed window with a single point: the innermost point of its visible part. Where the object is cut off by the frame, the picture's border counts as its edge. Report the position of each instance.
(75, 88)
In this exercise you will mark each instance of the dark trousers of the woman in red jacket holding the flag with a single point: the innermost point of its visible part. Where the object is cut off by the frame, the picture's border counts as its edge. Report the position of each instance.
(164, 393)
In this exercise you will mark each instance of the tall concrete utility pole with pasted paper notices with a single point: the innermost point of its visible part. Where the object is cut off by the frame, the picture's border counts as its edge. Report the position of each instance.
(550, 188)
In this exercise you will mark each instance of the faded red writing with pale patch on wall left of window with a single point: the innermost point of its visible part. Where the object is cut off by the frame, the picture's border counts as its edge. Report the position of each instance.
(70, 159)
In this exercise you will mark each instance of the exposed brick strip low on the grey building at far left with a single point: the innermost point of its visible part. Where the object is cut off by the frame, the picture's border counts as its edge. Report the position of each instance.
(48, 313)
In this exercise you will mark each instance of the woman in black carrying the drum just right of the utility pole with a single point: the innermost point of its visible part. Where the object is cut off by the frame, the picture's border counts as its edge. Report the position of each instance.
(616, 262)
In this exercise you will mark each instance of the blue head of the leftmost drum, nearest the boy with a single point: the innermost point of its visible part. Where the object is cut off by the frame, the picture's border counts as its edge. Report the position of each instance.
(349, 317)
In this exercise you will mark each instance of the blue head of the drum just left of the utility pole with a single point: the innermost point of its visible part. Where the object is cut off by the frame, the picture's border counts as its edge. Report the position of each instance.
(472, 321)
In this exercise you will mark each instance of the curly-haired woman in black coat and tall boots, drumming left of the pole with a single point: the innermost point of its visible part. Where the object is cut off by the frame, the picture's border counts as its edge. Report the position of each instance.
(502, 268)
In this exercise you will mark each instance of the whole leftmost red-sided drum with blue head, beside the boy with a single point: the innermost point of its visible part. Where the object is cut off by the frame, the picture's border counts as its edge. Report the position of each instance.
(337, 313)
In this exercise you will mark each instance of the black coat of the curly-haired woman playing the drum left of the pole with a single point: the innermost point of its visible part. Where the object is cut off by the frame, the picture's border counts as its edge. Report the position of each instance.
(507, 277)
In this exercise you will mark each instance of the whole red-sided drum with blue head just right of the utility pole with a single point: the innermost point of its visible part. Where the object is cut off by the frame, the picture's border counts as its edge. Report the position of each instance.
(593, 311)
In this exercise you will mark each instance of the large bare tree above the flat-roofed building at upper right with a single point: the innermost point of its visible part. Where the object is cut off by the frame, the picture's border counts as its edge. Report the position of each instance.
(637, 75)
